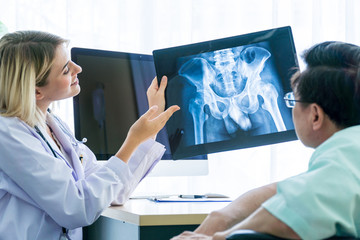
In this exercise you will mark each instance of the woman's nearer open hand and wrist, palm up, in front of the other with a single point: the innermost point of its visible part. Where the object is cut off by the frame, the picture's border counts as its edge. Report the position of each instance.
(145, 127)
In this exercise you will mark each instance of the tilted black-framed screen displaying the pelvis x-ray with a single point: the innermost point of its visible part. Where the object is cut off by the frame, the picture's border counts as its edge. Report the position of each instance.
(230, 92)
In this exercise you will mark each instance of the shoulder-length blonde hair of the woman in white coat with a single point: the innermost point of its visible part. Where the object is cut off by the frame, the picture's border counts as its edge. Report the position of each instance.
(26, 58)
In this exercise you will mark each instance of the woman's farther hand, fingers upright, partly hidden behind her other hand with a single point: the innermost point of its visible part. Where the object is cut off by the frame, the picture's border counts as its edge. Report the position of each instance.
(156, 94)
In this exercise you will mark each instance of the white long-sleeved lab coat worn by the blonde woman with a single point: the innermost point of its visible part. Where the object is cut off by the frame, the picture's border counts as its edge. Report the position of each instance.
(40, 194)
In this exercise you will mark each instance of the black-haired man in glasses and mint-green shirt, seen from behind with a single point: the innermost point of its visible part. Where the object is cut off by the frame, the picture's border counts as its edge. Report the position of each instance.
(325, 200)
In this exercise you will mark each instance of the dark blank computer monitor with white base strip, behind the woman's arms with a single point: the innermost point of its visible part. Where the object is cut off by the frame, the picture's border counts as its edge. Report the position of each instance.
(113, 96)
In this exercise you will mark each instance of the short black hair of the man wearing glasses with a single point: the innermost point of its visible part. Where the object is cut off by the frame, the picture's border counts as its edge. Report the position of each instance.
(332, 80)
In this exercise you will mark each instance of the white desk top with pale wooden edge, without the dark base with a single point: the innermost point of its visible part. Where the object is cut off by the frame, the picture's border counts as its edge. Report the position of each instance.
(143, 212)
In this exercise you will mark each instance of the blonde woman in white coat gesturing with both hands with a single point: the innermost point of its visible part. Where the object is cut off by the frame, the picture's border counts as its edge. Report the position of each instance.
(51, 184)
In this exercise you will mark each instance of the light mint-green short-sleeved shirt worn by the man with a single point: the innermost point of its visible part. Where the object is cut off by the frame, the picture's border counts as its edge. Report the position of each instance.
(325, 200)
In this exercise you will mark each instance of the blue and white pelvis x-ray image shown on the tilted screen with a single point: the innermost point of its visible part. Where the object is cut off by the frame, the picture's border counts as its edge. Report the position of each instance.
(226, 94)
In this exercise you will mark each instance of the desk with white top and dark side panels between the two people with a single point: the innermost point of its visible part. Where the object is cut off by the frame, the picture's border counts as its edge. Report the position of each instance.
(141, 219)
